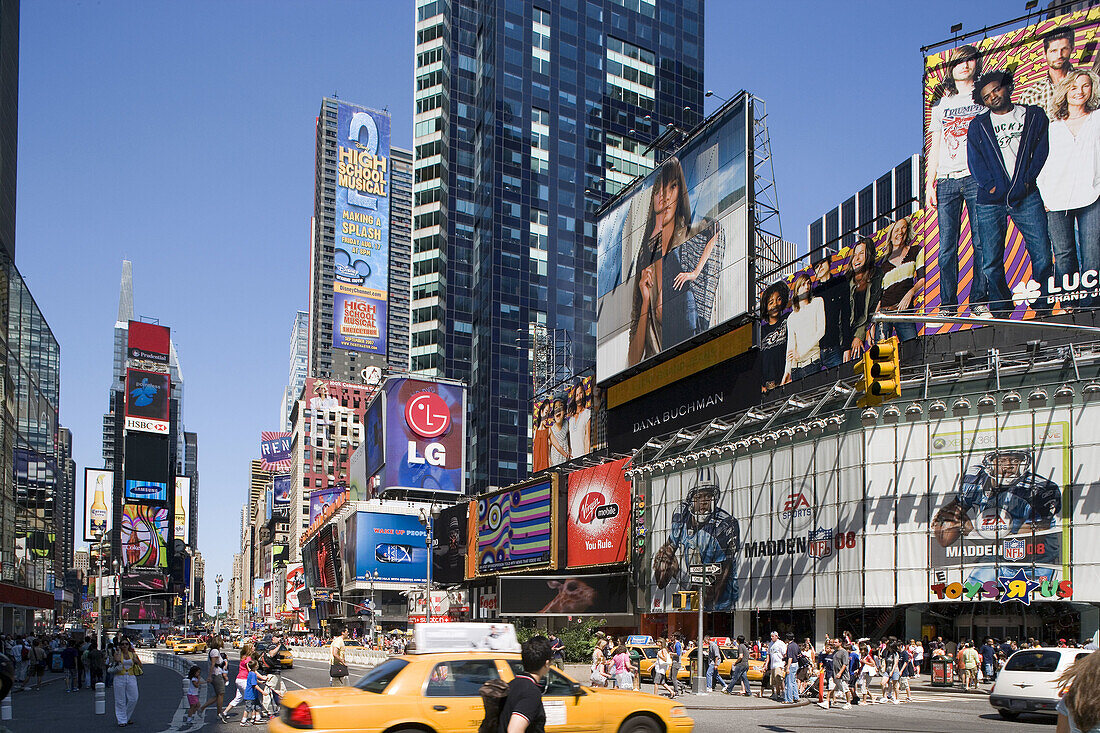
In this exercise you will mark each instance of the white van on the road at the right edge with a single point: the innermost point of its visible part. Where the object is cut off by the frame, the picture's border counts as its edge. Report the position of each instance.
(1027, 684)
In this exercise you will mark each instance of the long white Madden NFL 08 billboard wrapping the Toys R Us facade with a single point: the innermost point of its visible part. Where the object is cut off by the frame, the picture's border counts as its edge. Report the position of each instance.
(982, 509)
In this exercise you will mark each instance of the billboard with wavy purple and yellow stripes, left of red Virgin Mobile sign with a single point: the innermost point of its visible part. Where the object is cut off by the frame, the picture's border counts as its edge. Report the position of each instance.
(515, 529)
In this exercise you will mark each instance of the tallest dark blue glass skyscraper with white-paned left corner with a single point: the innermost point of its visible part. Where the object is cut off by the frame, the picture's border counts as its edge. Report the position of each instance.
(527, 117)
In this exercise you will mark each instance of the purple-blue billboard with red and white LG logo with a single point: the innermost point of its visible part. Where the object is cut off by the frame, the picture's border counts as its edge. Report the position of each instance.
(425, 436)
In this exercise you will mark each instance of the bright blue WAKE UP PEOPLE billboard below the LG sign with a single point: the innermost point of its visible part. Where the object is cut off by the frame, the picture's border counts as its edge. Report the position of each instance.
(394, 546)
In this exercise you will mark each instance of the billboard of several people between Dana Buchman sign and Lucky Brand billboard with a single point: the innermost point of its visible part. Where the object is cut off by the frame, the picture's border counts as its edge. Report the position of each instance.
(820, 316)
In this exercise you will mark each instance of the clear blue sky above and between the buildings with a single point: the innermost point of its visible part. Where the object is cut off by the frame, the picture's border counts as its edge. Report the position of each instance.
(181, 136)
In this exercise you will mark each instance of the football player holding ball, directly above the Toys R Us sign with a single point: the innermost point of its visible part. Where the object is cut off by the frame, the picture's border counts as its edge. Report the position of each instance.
(1002, 496)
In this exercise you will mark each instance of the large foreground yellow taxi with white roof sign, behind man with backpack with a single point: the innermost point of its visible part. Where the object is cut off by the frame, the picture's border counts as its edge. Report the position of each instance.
(437, 692)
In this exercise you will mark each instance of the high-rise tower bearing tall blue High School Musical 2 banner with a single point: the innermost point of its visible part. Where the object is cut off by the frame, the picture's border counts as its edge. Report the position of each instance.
(346, 250)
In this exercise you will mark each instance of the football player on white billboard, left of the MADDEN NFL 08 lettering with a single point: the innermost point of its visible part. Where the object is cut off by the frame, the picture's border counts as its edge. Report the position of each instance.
(702, 533)
